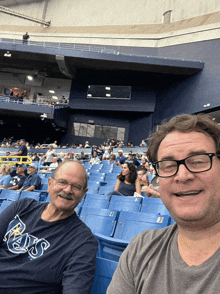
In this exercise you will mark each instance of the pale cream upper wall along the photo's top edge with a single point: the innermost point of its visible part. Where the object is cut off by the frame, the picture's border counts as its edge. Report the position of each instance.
(105, 12)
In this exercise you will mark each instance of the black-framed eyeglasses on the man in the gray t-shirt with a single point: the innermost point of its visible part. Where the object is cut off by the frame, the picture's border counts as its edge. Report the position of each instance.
(195, 163)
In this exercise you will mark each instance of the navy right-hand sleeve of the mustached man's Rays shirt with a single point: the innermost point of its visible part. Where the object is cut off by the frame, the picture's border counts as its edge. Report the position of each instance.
(80, 270)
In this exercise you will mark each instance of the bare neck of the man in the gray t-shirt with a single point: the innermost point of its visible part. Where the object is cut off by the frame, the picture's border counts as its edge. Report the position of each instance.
(197, 246)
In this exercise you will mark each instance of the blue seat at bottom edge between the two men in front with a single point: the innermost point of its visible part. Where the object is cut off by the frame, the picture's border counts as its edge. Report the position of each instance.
(103, 274)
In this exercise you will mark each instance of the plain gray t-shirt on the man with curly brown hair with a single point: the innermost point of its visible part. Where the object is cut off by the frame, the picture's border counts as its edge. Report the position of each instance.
(151, 264)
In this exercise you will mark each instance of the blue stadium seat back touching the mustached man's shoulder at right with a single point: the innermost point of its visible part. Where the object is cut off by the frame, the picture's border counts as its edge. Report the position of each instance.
(102, 221)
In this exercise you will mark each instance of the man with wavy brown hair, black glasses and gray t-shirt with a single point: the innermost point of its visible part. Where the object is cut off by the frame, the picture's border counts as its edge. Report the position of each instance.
(184, 257)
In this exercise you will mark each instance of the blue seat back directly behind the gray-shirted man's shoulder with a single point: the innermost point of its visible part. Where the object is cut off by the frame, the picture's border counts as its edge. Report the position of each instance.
(131, 224)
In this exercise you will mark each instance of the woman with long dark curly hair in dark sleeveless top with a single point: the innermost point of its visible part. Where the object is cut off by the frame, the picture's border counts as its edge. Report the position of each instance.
(127, 183)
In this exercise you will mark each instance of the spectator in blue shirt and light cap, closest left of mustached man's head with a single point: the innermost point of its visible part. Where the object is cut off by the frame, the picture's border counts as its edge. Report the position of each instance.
(33, 181)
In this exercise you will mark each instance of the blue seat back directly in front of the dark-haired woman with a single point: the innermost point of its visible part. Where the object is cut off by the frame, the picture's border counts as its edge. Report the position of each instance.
(125, 203)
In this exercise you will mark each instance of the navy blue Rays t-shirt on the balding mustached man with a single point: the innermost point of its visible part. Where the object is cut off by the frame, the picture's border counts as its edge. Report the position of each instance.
(44, 257)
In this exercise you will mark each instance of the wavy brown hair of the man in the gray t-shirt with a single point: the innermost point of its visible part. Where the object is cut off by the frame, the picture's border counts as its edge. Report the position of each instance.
(184, 123)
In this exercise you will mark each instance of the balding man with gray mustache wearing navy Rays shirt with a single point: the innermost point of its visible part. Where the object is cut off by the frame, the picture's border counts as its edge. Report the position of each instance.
(51, 237)
